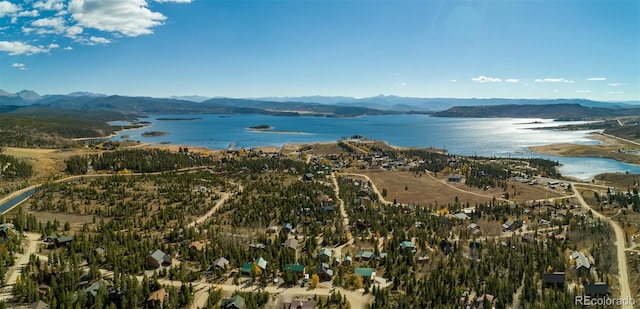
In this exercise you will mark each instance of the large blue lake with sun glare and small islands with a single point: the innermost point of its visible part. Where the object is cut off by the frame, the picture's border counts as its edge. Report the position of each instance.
(465, 136)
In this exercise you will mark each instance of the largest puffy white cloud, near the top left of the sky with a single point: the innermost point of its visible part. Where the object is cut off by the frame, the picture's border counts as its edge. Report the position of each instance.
(126, 17)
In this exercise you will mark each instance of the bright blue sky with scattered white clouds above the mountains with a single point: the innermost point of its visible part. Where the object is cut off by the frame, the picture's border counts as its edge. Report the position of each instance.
(237, 48)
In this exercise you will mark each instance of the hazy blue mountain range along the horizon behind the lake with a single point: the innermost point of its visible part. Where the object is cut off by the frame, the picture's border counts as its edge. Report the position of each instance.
(337, 106)
